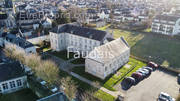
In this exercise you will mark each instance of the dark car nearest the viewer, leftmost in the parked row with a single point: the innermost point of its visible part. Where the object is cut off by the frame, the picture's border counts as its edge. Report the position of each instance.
(127, 83)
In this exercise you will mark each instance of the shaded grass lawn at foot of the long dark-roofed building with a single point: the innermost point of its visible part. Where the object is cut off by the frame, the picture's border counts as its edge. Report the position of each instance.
(63, 55)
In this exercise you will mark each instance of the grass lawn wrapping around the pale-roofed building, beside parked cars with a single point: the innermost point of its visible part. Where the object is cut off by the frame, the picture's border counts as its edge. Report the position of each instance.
(112, 80)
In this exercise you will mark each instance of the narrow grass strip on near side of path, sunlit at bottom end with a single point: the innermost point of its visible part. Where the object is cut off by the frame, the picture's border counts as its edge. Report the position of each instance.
(88, 88)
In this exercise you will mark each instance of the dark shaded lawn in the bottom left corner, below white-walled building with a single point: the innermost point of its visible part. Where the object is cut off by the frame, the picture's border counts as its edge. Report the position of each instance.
(23, 95)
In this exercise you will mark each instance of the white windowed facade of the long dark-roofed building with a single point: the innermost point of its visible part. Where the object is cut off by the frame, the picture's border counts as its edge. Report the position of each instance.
(71, 42)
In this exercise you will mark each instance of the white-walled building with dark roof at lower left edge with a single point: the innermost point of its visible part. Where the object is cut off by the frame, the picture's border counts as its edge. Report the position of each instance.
(12, 77)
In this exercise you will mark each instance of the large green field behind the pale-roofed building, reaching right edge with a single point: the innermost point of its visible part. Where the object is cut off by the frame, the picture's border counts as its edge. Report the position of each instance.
(158, 48)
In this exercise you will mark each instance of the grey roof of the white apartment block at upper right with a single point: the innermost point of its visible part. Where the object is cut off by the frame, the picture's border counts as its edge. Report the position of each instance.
(167, 17)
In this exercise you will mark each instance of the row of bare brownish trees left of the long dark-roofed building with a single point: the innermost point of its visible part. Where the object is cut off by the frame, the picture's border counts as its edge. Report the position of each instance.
(47, 70)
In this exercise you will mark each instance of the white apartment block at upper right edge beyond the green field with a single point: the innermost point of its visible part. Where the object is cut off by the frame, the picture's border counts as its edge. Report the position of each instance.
(166, 24)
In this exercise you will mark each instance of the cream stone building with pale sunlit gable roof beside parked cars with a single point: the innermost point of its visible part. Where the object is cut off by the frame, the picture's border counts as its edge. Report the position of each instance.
(108, 58)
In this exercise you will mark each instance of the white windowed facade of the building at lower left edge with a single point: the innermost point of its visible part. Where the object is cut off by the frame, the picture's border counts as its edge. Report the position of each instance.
(13, 85)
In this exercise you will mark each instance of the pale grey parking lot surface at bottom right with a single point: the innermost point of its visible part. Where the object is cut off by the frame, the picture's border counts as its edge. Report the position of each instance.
(148, 89)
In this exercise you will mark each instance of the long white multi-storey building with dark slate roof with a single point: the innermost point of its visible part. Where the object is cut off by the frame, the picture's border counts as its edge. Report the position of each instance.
(76, 38)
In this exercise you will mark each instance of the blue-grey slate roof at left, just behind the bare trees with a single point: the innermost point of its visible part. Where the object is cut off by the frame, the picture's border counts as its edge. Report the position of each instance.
(18, 41)
